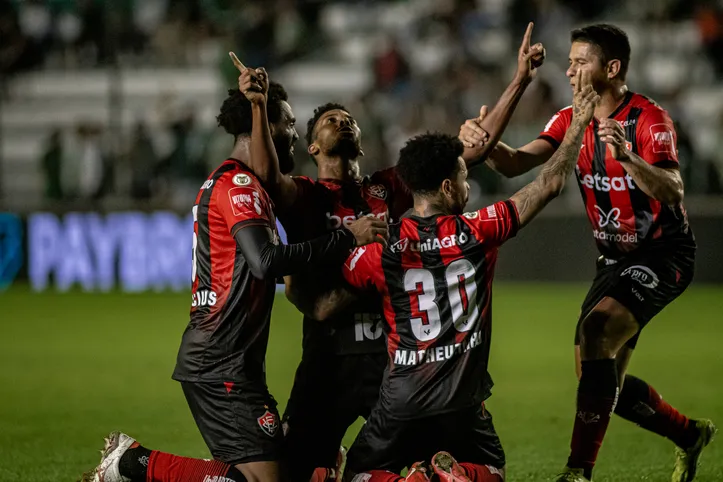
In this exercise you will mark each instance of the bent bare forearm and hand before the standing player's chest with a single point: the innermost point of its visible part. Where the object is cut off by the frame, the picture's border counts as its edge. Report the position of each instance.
(662, 184)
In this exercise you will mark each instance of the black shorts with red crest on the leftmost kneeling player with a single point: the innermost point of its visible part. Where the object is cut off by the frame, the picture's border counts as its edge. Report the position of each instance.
(239, 422)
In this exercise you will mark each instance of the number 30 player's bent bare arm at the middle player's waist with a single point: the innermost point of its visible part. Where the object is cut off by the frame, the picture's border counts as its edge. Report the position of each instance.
(318, 306)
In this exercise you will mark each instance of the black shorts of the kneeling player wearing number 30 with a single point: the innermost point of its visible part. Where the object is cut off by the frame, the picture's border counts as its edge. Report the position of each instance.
(385, 443)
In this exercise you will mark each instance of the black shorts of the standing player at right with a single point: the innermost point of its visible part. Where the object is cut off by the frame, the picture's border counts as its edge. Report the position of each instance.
(644, 282)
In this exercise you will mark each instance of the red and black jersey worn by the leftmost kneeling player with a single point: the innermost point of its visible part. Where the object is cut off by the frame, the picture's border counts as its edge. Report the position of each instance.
(227, 336)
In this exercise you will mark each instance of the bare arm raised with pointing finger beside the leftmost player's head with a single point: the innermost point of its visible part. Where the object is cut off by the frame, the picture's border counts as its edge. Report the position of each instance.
(254, 83)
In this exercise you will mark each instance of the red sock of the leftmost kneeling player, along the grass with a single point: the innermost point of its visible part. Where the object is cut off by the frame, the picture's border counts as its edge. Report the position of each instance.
(163, 467)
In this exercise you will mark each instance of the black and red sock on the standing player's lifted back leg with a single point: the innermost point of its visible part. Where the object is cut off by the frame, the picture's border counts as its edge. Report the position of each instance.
(641, 404)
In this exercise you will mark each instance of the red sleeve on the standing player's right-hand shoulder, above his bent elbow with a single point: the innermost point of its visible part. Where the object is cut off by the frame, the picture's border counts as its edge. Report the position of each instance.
(656, 138)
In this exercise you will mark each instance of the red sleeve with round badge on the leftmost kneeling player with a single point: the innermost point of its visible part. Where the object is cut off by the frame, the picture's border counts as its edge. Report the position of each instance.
(242, 201)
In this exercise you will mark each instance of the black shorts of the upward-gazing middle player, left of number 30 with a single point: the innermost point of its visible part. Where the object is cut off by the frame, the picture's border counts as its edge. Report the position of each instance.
(330, 392)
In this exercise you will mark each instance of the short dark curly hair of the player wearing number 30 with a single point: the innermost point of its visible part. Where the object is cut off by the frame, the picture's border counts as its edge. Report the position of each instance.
(427, 160)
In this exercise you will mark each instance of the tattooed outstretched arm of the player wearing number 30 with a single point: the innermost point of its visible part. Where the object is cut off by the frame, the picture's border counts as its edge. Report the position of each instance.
(531, 199)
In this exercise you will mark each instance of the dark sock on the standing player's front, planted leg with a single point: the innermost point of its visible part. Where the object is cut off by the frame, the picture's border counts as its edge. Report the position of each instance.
(596, 397)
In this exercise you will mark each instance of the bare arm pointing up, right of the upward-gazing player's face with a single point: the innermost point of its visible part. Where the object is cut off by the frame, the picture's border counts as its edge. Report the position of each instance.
(494, 123)
